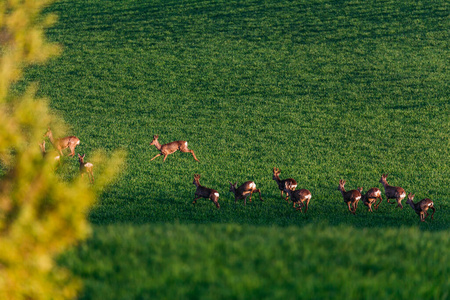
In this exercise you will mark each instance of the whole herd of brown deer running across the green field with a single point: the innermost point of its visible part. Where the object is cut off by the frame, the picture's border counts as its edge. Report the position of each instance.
(288, 187)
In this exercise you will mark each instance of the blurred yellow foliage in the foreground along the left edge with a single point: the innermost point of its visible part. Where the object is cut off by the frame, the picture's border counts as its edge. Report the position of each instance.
(40, 214)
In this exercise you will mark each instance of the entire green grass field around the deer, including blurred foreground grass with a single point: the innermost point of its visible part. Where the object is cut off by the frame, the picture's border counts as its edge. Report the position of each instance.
(323, 90)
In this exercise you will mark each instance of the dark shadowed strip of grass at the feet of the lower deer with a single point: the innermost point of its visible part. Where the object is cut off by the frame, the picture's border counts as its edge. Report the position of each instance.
(161, 209)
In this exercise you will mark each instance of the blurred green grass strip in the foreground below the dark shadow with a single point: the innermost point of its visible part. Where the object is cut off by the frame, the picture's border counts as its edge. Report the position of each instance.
(240, 262)
